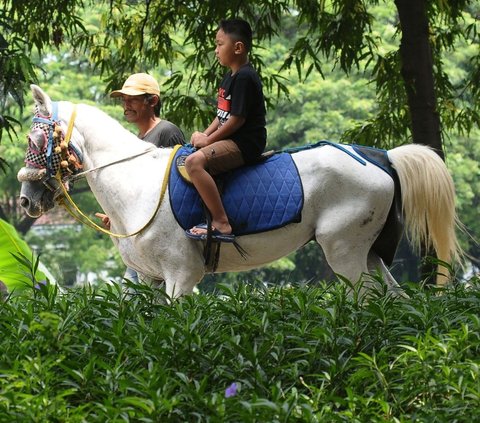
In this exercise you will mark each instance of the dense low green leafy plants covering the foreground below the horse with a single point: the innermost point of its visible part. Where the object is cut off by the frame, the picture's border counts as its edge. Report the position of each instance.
(294, 354)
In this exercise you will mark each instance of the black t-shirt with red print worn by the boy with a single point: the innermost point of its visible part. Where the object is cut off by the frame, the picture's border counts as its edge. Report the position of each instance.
(241, 94)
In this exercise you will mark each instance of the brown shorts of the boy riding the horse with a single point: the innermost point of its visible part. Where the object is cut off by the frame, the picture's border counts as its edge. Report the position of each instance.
(222, 156)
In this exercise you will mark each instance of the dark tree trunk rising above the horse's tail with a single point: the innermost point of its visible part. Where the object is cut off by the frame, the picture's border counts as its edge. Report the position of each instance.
(417, 72)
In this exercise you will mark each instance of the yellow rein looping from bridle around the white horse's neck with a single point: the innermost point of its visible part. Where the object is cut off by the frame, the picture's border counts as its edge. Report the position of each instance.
(67, 201)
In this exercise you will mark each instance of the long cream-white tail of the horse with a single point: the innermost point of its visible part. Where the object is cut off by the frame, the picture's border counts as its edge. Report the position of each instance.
(428, 198)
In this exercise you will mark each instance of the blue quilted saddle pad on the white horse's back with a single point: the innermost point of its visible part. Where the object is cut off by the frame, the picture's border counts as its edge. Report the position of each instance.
(256, 198)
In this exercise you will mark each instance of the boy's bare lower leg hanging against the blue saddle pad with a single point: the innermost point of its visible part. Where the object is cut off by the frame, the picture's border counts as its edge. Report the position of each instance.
(206, 187)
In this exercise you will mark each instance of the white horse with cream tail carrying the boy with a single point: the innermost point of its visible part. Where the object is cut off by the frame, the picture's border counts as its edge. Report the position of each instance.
(346, 203)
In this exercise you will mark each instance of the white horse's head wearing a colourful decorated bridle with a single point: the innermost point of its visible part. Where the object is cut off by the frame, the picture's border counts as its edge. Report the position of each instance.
(49, 159)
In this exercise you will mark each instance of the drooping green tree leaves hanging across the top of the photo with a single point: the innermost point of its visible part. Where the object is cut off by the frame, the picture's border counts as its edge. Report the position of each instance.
(128, 36)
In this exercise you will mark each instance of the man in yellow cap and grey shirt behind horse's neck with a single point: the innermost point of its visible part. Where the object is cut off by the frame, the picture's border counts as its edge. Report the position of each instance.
(140, 96)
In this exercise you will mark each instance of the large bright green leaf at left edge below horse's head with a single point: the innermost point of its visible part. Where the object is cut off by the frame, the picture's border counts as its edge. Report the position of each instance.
(16, 260)
